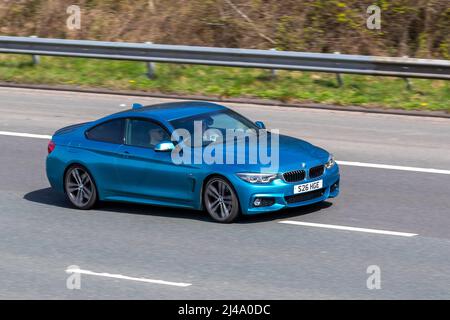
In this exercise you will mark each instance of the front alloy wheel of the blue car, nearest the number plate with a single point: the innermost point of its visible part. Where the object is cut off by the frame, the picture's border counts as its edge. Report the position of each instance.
(220, 200)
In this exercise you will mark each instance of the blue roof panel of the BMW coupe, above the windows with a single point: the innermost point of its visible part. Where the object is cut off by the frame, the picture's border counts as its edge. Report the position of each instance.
(174, 110)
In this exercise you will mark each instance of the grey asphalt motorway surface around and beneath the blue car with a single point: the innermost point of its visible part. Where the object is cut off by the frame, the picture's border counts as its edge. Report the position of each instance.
(255, 258)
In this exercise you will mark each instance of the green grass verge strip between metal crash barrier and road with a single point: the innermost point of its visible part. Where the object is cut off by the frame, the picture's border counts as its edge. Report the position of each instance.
(288, 86)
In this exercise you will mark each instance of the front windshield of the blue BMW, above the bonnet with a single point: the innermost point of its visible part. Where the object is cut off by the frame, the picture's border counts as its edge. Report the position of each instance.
(215, 124)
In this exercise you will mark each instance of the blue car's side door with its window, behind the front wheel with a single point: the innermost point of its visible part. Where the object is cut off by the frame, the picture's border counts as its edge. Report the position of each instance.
(148, 174)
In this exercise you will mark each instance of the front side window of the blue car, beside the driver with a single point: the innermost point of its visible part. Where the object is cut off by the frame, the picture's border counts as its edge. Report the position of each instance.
(142, 133)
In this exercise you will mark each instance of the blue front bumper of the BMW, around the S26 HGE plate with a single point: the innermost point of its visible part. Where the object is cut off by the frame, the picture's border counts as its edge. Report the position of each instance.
(281, 193)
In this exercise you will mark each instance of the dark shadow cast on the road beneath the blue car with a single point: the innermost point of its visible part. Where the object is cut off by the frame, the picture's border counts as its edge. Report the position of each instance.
(50, 197)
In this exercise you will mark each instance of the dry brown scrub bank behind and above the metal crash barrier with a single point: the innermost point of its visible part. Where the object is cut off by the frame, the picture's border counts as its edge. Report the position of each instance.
(415, 28)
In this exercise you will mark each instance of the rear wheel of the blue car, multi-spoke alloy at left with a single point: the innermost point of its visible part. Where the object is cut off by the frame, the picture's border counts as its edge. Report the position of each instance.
(80, 187)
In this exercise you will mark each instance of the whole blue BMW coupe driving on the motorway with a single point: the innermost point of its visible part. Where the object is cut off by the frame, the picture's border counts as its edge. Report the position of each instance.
(148, 155)
